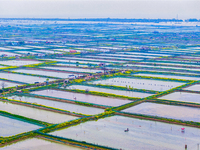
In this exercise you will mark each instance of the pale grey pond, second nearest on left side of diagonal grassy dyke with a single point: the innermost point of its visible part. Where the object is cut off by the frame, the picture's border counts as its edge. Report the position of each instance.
(34, 113)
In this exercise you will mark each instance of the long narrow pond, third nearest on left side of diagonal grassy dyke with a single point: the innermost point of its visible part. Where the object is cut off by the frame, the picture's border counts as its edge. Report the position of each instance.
(60, 105)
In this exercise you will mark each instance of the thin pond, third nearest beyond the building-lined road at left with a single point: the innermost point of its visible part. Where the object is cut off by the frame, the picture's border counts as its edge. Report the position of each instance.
(45, 73)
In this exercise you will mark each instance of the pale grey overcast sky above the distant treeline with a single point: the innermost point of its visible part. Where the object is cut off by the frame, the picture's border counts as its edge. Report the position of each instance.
(100, 8)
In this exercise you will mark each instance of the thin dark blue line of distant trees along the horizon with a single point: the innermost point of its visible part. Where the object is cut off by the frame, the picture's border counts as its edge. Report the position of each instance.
(107, 19)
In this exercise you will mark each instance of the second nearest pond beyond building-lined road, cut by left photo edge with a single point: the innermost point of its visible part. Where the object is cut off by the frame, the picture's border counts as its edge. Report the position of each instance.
(23, 78)
